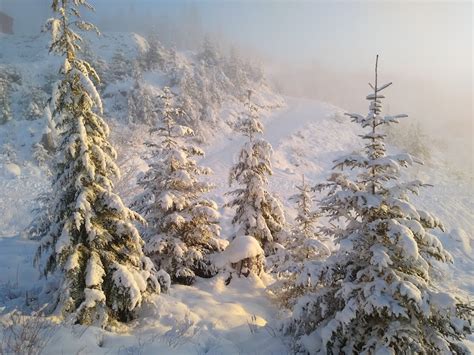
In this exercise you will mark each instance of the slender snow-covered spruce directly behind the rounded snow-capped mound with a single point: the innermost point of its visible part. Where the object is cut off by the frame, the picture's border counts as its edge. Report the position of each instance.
(258, 212)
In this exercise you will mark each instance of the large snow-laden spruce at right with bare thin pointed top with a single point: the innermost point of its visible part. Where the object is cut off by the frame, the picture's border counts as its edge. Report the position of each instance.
(375, 295)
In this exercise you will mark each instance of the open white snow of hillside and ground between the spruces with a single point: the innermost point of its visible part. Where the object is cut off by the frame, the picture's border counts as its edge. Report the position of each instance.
(208, 317)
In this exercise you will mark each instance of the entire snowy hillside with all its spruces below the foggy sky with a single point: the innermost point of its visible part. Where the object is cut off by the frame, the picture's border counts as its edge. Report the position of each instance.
(162, 200)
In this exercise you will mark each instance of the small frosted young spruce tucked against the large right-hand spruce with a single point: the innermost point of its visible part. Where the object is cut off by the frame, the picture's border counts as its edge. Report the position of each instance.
(303, 246)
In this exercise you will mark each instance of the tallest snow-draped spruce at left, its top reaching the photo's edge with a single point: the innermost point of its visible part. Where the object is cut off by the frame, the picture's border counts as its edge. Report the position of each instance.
(88, 239)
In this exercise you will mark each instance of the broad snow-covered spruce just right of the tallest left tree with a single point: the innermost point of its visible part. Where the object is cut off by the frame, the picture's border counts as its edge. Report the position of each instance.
(183, 226)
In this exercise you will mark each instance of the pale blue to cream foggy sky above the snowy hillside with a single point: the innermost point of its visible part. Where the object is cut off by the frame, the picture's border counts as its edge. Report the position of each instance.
(324, 50)
